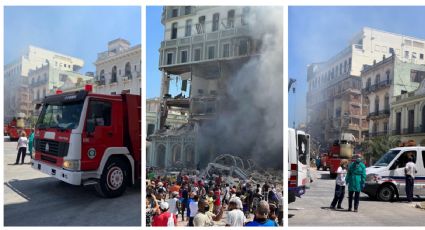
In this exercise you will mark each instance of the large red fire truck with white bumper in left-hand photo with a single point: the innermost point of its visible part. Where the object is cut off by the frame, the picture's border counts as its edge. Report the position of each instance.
(83, 138)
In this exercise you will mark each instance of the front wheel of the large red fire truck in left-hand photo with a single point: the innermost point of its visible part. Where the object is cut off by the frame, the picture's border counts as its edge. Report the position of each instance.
(113, 181)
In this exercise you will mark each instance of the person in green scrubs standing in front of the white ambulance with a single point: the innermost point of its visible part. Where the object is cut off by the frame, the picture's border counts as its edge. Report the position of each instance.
(355, 179)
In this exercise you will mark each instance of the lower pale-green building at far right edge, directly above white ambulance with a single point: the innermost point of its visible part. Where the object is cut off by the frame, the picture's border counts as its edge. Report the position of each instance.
(408, 115)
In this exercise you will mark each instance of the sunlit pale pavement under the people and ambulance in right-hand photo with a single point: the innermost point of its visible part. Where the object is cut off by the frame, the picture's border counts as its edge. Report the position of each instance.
(313, 209)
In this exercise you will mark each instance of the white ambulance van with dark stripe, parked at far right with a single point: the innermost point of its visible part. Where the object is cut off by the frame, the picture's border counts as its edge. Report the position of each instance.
(386, 178)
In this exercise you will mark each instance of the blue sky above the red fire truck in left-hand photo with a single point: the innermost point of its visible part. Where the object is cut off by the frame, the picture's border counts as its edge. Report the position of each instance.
(80, 32)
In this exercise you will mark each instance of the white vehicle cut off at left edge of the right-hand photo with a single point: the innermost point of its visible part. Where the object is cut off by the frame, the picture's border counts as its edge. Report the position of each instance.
(299, 158)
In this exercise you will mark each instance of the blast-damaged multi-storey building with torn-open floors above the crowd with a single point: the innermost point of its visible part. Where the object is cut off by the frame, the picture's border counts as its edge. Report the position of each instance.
(204, 48)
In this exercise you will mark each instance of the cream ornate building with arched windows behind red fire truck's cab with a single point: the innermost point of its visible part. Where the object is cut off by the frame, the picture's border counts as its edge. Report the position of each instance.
(118, 70)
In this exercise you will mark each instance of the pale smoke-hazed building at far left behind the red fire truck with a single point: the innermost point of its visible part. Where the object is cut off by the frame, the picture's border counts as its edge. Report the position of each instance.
(17, 93)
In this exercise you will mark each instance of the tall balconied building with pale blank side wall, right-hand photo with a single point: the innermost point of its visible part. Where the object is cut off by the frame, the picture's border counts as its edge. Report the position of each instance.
(383, 81)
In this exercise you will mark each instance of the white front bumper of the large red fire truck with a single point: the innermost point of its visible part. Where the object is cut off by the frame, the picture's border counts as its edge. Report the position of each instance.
(69, 177)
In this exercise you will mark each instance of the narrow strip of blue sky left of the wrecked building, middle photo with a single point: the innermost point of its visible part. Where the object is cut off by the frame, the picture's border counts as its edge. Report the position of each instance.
(155, 34)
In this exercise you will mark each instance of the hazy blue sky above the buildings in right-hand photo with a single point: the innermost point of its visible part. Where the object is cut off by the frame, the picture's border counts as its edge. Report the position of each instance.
(317, 33)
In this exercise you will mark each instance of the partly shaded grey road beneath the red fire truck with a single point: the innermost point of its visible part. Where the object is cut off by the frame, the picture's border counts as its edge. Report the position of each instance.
(34, 199)
